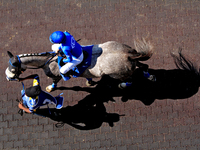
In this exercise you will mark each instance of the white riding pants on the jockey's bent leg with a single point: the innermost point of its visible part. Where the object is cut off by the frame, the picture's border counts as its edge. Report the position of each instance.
(68, 66)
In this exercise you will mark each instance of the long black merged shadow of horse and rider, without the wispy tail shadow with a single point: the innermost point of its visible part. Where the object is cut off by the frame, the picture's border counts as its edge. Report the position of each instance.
(90, 113)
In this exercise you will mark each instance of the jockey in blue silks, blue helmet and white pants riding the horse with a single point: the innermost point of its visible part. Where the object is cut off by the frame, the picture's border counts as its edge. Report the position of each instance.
(65, 42)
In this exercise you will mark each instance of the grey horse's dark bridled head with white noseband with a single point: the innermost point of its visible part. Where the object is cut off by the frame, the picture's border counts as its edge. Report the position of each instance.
(14, 67)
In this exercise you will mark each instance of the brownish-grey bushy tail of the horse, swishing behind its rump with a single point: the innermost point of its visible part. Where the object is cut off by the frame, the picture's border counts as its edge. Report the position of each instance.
(144, 50)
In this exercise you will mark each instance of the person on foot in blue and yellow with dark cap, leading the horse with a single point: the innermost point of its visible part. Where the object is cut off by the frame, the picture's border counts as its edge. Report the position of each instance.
(33, 97)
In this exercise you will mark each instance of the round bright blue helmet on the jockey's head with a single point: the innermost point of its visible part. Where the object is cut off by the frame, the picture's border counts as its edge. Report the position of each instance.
(57, 37)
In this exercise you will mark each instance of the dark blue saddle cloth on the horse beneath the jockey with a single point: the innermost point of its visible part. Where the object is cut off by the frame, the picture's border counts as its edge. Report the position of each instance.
(79, 69)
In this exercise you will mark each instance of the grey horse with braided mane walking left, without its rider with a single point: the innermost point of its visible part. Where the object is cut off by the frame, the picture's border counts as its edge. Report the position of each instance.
(110, 58)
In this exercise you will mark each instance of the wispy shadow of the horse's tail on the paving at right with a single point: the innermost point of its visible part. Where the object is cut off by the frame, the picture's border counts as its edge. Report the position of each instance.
(183, 63)
